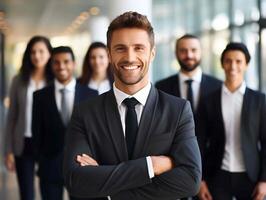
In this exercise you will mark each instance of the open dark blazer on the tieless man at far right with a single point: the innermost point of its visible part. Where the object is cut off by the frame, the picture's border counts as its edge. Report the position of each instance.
(253, 134)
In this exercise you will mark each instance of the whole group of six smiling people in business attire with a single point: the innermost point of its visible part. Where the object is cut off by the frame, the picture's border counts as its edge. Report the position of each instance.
(135, 141)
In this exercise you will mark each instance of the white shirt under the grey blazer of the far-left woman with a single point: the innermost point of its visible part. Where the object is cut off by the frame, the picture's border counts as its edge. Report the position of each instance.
(32, 87)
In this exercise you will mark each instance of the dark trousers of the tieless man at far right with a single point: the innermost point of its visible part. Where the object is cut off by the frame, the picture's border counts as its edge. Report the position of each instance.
(226, 185)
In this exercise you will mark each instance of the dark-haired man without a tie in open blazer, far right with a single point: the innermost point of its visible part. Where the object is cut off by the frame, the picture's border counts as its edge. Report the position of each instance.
(232, 123)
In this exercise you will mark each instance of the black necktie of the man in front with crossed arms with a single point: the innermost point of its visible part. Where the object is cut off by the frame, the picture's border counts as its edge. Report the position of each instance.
(131, 124)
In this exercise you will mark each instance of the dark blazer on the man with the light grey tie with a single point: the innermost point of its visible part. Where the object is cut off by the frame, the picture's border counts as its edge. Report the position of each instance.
(49, 130)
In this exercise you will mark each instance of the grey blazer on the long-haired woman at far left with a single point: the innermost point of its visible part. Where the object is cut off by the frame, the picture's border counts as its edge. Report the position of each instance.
(15, 126)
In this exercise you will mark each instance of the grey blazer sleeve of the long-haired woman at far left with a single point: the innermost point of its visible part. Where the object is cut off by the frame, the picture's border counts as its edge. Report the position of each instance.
(11, 116)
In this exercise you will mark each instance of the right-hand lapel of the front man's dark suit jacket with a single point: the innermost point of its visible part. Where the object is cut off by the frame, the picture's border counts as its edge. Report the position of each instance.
(146, 121)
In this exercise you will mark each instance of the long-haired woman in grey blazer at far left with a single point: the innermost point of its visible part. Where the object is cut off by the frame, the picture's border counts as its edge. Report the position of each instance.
(34, 74)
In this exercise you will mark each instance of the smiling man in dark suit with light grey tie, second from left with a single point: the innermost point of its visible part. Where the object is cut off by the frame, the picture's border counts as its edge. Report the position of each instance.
(52, 108)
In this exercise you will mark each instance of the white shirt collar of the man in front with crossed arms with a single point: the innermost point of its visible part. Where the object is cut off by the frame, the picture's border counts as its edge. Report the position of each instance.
(141, 95)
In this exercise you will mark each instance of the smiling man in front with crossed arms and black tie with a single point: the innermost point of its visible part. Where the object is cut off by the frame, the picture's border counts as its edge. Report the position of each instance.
(133, 142)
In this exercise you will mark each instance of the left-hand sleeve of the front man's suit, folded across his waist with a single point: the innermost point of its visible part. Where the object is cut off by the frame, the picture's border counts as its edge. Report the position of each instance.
(100, 181)
